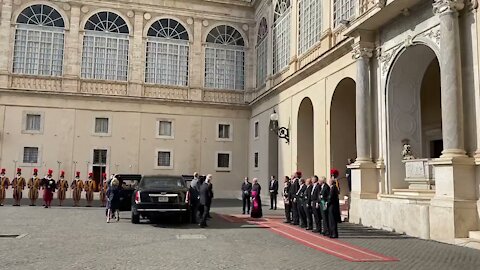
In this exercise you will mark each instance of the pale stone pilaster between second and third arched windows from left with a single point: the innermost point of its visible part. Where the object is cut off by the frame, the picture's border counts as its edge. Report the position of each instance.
(137, 66)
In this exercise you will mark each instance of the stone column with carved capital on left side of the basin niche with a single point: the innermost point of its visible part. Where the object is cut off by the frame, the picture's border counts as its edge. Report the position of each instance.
(362, 54)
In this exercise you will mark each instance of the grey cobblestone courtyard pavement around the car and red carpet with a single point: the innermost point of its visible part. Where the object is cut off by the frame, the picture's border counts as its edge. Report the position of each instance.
(79, 238)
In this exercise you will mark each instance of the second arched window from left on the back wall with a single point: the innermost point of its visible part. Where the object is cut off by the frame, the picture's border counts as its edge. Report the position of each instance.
(105, 47)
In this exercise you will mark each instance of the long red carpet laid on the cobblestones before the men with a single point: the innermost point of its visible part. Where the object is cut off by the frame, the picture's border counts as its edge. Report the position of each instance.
(316, 241)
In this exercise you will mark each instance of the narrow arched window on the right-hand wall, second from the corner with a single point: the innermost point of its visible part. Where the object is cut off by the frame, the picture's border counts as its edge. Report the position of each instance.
(281, 35)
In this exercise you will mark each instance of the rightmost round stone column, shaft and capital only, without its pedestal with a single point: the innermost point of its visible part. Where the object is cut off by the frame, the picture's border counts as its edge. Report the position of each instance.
(451, 78)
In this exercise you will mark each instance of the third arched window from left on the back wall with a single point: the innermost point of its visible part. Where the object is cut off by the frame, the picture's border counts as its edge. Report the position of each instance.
(167, 53)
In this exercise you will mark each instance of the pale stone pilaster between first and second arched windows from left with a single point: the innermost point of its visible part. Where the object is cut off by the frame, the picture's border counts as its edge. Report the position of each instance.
(72, 56)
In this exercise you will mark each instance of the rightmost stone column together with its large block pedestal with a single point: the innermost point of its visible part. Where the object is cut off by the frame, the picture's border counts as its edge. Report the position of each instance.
(453, 211)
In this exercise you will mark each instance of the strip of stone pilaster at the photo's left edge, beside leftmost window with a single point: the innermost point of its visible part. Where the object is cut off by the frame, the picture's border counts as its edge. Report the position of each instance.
(5, 44)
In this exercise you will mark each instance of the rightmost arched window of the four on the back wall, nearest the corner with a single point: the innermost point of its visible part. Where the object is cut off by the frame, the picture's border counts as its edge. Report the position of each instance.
(224, 59)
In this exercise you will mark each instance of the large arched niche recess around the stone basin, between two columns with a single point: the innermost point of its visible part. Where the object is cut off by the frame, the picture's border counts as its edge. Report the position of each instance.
(404, 87)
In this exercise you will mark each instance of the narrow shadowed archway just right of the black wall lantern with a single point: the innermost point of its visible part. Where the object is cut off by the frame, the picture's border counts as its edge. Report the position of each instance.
(305, 149)
